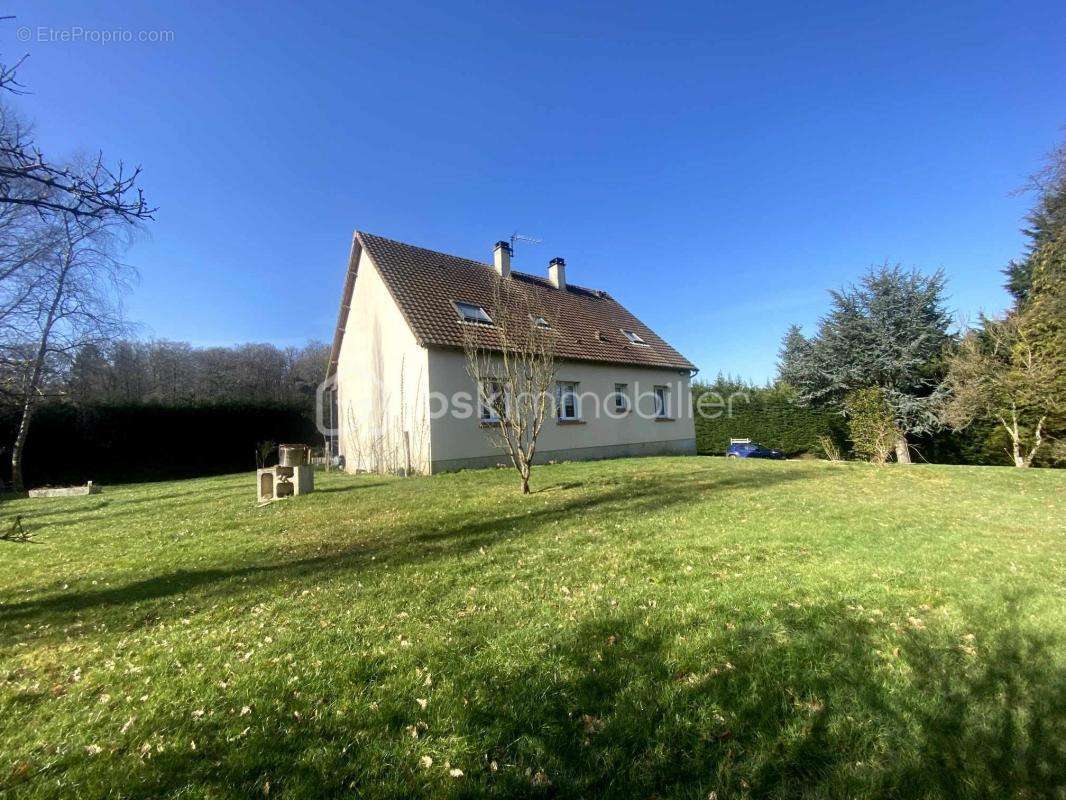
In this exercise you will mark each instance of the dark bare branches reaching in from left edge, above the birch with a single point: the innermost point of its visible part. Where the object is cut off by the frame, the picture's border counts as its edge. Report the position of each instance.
(89, 190)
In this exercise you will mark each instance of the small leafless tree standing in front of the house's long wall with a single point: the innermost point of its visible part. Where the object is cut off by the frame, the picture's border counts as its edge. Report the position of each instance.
(513, 365)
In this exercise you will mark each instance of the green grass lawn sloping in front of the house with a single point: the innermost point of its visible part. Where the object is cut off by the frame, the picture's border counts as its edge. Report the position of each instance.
(656, 628)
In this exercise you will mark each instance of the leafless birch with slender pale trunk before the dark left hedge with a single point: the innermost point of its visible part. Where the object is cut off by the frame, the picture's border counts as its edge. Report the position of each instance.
(76, 302)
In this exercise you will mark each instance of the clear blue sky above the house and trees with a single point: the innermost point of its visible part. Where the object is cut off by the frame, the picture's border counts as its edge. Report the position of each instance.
(715, 167)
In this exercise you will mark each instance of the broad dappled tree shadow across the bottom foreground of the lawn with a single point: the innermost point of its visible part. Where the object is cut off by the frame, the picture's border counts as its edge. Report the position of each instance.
(620, 708)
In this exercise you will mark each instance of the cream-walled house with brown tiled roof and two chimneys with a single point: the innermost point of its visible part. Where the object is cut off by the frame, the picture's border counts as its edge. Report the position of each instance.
(405, 402)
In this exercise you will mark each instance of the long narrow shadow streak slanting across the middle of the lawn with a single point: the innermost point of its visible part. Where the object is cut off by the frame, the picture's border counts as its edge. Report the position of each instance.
(463, 534)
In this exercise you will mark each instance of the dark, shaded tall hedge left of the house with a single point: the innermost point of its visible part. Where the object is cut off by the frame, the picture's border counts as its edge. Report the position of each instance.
(130, 443)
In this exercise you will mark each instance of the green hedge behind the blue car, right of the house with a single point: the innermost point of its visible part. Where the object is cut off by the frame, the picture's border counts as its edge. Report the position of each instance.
(771, 420)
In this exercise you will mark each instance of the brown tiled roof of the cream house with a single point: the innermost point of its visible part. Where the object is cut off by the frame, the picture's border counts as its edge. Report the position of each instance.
(425, 285)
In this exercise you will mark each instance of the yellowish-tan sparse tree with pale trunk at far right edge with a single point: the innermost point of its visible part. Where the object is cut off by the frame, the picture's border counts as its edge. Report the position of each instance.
(997, 374)
